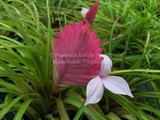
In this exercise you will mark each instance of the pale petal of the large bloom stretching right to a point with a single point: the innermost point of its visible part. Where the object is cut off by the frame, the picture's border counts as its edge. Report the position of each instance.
(117, 85)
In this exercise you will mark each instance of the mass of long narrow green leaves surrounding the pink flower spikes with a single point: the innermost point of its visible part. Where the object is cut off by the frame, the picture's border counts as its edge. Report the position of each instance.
(129, 30)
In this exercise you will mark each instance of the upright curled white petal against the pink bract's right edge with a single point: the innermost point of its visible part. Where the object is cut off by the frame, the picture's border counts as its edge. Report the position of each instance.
(106, 66)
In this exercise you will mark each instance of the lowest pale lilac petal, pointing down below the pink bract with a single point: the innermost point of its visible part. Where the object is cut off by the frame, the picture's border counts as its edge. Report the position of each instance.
(95, 90)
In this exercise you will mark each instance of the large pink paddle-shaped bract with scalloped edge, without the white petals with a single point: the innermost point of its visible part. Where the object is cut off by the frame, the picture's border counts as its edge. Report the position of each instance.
(76, 54)
